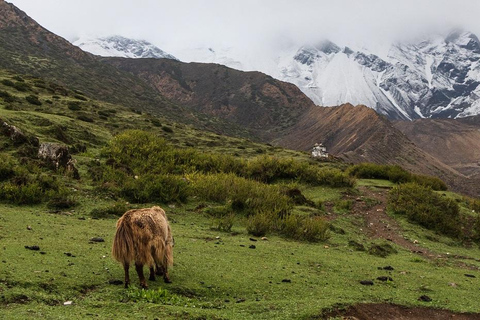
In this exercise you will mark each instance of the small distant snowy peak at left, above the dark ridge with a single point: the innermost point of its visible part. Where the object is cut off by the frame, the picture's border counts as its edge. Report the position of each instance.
(118, 46)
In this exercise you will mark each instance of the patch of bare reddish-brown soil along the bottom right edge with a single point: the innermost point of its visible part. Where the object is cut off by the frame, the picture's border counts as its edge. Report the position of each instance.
(395, 312)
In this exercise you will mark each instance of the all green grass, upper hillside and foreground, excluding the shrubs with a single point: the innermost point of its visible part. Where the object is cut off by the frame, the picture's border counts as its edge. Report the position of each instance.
(213, 278)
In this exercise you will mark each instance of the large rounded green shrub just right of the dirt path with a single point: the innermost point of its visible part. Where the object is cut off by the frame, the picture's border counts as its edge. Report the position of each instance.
(423, 206)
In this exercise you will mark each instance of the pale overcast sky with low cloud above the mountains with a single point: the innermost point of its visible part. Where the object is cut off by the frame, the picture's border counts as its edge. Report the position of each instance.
(180, 23)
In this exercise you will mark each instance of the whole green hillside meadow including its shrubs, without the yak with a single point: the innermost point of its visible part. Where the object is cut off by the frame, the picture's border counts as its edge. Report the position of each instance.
(222, 195)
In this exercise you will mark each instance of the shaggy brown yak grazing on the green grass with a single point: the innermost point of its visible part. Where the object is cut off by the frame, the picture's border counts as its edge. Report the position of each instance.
(144, 236)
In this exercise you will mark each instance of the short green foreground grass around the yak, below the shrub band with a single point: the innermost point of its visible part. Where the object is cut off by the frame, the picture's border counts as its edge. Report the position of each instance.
(208, 278)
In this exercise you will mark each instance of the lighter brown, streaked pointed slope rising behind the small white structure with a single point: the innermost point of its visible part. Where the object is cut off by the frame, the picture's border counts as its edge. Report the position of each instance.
(359, 134)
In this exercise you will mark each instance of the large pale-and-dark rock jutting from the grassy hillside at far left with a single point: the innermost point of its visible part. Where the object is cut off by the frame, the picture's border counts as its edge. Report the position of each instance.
(58, 156)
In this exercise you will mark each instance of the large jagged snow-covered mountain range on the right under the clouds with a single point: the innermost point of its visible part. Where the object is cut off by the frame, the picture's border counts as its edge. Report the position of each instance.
(436, 77)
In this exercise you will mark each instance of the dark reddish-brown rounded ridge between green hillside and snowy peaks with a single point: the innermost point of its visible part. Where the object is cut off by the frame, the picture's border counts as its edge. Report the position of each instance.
(250, 99)
